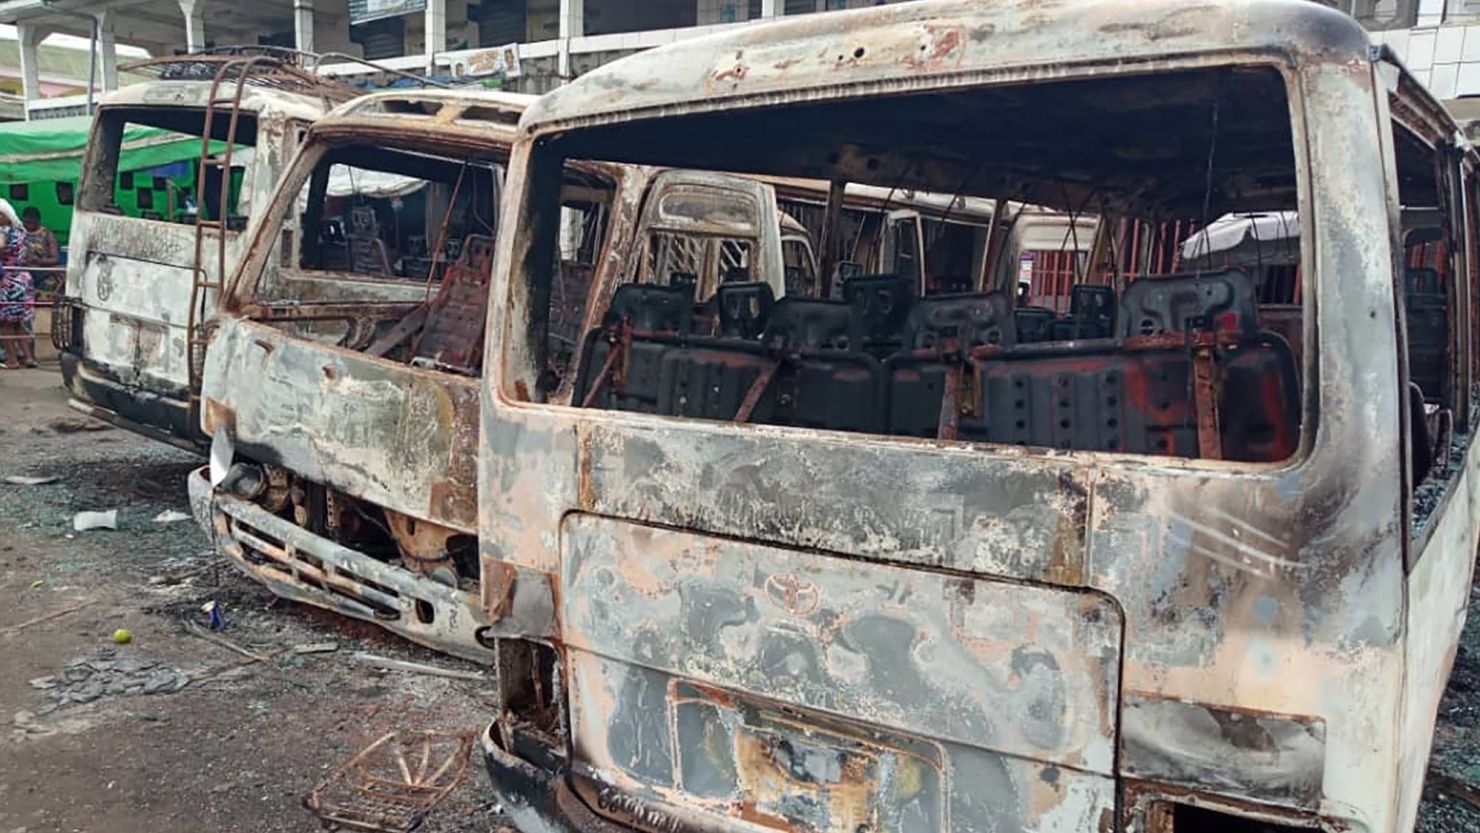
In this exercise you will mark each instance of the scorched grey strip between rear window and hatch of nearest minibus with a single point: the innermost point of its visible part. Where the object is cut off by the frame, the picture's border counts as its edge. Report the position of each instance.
(1020, 520)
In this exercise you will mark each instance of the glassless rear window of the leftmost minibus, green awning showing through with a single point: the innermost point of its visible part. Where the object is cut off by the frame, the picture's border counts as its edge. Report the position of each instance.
(147, 163)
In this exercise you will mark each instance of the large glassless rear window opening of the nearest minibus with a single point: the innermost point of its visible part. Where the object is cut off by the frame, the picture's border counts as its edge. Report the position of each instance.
(1118, 344)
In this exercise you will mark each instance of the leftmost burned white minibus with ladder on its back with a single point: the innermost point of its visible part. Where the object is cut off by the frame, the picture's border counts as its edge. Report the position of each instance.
(147, 260)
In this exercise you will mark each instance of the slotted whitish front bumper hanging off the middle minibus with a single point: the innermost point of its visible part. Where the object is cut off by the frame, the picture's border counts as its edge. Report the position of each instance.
(300, 566)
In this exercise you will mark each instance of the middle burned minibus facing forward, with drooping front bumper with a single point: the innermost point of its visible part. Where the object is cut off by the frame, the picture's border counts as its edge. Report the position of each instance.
(341, 387)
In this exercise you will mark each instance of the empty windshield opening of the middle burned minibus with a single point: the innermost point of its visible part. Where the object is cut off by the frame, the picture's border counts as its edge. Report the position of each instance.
(393, 248)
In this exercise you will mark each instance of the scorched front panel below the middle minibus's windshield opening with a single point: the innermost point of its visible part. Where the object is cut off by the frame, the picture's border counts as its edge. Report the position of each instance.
(386, 433)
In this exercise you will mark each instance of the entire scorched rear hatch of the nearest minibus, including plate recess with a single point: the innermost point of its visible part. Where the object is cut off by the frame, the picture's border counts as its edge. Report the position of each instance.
(818, 693)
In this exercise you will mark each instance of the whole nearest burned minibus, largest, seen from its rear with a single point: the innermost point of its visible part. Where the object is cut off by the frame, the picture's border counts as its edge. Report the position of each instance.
(901, 566)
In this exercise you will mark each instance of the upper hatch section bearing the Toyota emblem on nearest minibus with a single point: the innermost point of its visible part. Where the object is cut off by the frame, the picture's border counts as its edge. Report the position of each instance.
(1019, 670)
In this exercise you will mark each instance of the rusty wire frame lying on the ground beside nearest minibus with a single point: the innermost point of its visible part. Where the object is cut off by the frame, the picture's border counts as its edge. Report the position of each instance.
(393, 783)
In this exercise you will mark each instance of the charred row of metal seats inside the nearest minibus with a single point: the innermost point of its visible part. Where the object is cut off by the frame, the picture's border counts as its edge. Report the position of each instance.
(1214, 388)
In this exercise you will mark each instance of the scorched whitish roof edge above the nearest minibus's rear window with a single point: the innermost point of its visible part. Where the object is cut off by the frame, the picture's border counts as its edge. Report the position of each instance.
(904, 45)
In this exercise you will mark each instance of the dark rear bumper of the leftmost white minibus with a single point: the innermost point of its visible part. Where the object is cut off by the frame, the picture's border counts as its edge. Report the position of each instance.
(158, 416)
